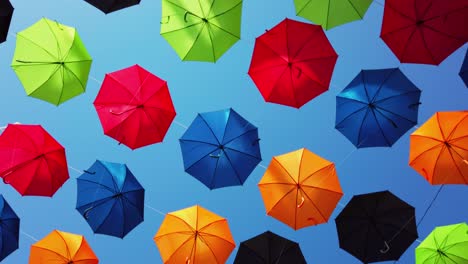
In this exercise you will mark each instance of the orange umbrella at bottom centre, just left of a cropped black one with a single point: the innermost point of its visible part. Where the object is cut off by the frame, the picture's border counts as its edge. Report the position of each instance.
(194, 235)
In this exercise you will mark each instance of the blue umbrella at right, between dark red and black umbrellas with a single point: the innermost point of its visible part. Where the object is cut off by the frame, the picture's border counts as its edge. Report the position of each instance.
(377, 108)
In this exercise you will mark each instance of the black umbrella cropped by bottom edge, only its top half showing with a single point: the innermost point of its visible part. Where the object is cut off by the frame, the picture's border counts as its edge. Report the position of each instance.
(269, 248)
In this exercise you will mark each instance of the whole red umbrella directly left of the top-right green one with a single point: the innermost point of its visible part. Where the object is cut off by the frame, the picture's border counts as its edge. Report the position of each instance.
(292, 63)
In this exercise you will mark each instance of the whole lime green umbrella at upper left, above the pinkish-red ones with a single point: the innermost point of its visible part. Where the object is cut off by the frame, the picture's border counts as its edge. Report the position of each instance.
(51, 61)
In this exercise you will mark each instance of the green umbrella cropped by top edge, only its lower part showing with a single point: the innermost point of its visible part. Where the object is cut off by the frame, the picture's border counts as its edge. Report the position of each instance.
(332, 13)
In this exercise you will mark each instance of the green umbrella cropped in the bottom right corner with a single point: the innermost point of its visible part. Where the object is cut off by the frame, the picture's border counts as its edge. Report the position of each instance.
(444, 245)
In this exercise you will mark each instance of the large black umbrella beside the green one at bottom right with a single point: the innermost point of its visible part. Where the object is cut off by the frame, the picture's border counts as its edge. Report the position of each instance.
(376, 227)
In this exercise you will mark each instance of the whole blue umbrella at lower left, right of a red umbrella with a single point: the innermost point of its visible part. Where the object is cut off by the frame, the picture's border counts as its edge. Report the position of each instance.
(110, 198)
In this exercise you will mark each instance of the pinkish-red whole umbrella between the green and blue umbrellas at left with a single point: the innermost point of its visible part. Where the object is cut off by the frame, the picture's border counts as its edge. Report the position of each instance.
(135, 107)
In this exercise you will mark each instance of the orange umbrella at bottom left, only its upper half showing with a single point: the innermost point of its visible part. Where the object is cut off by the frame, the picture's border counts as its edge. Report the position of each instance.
(62, 248)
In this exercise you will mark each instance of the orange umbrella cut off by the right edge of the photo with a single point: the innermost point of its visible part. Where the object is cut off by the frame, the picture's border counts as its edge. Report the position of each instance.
(439, 148)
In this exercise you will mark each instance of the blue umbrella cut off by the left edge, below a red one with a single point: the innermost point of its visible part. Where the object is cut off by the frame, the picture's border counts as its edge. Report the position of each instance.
(9, 229)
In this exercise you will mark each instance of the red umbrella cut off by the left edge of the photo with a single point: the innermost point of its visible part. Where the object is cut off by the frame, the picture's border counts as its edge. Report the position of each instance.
(32, 161)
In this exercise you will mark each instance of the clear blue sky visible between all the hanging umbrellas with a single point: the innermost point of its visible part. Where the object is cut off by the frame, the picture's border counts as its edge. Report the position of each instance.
(131, 36)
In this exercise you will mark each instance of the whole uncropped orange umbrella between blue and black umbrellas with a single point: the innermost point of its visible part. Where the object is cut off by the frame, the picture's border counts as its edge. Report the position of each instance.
(300, 189)
